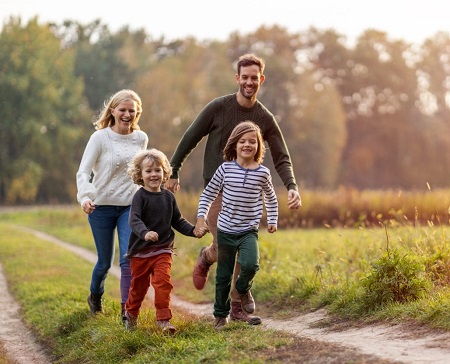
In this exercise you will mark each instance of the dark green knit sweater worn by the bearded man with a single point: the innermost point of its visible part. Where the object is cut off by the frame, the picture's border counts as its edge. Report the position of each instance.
(217, 120)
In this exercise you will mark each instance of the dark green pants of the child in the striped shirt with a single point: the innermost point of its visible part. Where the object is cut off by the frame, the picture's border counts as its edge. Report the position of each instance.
(245, 246)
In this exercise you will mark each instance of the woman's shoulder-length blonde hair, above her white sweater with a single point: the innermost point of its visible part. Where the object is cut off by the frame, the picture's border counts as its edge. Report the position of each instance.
(106, 119)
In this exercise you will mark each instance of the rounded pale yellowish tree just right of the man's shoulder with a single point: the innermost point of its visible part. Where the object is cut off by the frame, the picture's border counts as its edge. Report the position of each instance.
(320, 133)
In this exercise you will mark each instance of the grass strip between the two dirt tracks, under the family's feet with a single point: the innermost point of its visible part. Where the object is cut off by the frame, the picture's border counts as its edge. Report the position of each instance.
(52, 284)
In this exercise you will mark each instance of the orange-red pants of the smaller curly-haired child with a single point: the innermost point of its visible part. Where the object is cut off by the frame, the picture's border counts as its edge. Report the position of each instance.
(155, 271)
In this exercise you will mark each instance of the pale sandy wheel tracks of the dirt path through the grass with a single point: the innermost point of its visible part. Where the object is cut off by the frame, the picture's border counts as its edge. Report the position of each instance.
(398, 343)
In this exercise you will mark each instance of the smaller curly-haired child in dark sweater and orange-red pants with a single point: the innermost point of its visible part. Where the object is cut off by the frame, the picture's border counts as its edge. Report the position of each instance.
(154, 212)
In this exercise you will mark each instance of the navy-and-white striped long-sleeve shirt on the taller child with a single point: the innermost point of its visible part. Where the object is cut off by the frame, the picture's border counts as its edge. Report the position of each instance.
(243, 193)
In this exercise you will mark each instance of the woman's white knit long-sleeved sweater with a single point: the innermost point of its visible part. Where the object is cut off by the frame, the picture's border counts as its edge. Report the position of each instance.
(107, 155)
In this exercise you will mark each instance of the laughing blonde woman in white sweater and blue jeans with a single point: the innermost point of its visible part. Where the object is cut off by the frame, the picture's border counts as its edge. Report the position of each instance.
(105, 189)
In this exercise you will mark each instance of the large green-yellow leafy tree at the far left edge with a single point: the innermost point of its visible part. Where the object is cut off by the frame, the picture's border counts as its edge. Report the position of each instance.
(42, 106)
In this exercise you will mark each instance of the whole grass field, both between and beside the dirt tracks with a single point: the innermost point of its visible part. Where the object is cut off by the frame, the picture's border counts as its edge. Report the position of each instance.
(396, 273)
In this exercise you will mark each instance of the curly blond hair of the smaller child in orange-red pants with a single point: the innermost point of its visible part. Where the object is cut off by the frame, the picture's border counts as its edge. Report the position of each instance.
(153, 155)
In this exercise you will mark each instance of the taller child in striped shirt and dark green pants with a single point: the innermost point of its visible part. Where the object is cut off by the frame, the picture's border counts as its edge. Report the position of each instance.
(245, 183)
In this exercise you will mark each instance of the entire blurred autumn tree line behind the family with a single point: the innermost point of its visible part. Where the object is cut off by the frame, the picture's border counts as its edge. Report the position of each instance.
(371, 115)
